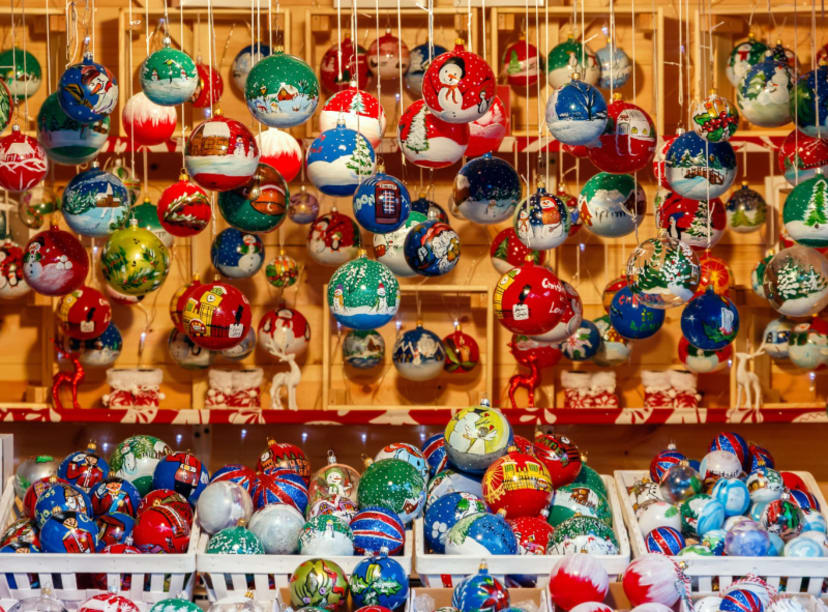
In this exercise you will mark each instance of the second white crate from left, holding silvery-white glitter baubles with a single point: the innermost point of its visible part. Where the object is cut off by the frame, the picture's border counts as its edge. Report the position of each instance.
(227, 575)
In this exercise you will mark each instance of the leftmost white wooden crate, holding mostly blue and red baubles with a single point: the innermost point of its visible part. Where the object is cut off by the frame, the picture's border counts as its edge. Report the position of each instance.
(153, 577)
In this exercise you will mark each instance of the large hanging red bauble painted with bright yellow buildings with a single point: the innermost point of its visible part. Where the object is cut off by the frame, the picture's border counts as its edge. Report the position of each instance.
(216, 316)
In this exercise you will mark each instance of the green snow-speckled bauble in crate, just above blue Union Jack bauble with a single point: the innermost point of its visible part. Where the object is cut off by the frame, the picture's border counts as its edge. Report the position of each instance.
(394, 484)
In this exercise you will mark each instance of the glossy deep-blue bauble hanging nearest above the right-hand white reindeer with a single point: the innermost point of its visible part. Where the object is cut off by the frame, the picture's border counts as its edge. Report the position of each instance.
(710, 321)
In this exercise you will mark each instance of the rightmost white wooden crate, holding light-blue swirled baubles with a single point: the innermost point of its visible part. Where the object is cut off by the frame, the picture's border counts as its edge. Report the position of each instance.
(800, 575)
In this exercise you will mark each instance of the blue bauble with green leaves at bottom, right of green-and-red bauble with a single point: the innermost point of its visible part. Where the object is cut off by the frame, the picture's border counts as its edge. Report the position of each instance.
(378, 581)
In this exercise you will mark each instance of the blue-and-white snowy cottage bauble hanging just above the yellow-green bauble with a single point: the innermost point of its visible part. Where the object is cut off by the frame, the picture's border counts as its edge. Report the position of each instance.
(95, 203)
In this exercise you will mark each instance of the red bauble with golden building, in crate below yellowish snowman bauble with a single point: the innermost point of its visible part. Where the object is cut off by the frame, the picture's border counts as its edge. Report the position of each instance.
(517, 485)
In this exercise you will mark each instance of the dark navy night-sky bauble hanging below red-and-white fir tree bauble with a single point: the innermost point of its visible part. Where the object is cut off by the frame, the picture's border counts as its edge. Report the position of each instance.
(486, 190)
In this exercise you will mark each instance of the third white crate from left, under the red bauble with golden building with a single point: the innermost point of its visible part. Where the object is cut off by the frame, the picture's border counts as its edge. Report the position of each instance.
(437, 570)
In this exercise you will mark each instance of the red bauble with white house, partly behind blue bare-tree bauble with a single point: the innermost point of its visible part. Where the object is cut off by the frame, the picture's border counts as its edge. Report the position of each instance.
(628, 143)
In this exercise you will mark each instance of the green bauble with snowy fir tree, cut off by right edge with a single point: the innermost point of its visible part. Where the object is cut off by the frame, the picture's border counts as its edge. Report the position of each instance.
(805, 212)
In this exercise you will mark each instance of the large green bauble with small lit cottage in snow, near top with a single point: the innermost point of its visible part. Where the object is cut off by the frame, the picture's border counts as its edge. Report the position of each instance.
(281, 91)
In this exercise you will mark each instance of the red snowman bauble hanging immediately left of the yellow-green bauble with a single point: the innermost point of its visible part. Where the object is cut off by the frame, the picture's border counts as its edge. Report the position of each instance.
(55, 262)
